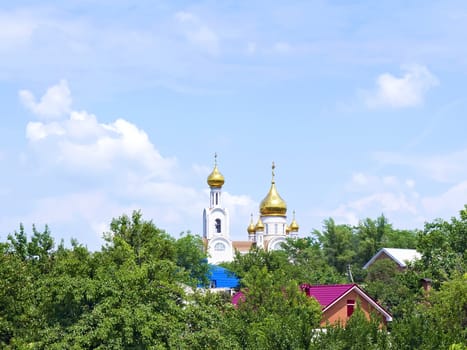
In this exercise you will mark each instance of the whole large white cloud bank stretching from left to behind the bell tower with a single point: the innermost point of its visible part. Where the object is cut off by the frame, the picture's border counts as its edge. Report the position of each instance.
(116, 169)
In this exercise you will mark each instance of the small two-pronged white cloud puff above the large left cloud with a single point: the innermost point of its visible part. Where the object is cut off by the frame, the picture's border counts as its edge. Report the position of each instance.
(54, 104)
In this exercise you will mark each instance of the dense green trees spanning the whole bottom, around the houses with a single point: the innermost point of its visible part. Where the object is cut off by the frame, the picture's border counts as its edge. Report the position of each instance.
(139, 291)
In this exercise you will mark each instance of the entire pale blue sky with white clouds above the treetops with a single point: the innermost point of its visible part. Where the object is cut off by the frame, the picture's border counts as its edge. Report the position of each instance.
(112, 106)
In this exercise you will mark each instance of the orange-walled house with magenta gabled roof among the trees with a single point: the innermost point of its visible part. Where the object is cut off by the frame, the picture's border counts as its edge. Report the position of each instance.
(339, 301)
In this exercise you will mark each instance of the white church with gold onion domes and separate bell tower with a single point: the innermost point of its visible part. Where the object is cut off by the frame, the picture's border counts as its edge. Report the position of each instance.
(269, 232)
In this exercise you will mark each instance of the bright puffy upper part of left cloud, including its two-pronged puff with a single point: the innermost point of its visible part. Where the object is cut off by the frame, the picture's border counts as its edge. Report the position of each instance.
(83, 144)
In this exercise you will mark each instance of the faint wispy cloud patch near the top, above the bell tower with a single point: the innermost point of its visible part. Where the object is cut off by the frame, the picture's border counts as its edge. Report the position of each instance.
(198, 33)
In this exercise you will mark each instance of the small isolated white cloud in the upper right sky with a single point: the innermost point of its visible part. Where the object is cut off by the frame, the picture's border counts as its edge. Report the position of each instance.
(398, 92)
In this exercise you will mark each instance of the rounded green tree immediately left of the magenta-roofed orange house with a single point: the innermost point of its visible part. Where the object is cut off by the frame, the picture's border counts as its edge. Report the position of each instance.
(275, 313)
